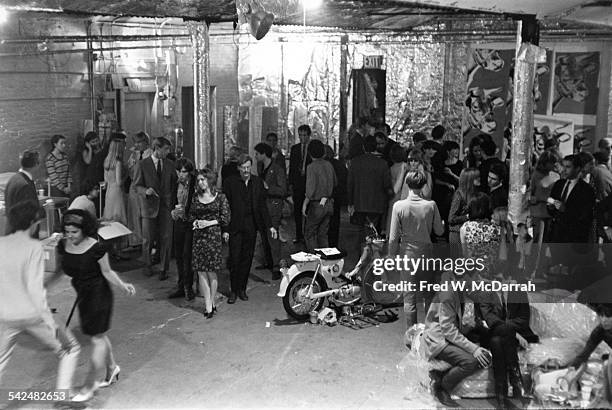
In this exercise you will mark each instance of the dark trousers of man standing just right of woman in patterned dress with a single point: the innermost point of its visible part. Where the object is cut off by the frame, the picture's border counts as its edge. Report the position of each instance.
(242, 248)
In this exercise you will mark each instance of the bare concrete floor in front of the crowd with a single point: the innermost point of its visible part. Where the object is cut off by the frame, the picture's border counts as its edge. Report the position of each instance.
(248, 356)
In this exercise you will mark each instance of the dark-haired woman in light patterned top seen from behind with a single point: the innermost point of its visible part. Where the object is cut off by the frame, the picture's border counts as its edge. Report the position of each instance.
(480, 237)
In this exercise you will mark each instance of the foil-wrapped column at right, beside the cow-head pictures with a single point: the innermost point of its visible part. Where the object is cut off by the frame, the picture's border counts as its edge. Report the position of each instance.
(522, 131)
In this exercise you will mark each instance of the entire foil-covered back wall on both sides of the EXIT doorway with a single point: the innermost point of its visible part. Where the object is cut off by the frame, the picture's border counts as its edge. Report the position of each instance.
(298, 76)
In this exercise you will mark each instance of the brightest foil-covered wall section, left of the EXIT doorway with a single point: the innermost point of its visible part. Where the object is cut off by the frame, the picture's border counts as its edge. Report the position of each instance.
(307, 74)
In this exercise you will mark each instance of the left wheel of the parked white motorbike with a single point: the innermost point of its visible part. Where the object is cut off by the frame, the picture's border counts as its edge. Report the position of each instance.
(296, 302)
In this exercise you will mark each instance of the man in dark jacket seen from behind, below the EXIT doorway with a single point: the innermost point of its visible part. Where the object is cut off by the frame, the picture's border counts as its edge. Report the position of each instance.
(369, 187)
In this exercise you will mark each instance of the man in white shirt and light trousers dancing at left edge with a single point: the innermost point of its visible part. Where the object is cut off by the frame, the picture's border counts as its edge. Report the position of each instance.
(23, 298)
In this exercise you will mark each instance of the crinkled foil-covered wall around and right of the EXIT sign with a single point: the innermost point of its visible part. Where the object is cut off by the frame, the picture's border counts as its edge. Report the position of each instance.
(417, 97)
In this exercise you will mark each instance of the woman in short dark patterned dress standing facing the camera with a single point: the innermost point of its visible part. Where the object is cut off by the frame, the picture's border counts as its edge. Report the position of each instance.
(210, 216)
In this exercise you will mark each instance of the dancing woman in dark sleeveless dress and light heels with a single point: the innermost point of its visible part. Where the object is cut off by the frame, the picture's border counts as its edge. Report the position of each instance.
(85, 260)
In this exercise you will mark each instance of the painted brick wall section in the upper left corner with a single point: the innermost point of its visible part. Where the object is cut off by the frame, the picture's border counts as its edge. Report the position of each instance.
(41, 95)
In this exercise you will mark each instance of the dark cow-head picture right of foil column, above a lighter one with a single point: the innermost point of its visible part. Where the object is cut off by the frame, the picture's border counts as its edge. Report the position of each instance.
(576, 83)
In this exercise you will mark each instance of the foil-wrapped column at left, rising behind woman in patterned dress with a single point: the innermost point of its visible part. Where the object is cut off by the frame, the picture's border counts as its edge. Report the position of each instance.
(201, 93)
